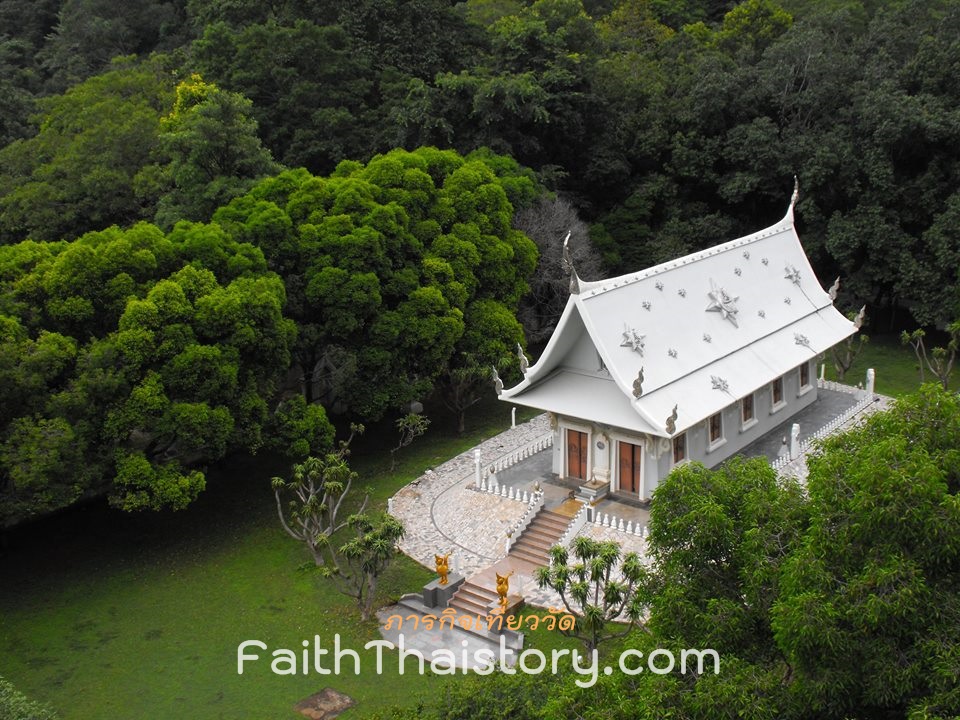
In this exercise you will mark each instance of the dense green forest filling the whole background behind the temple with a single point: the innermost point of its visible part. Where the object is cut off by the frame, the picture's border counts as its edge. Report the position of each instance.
(221, 221)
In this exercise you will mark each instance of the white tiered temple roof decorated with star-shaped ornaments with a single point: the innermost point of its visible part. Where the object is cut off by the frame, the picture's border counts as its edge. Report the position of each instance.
(706, 329)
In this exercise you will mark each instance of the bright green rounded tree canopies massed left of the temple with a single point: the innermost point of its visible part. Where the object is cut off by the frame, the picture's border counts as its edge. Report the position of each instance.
(136, 357)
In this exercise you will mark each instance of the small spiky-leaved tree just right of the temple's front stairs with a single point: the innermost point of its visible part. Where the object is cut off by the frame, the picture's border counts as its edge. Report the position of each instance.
(599, 587)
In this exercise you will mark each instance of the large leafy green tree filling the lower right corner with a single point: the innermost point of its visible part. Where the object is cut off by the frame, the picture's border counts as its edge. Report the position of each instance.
(868, 609)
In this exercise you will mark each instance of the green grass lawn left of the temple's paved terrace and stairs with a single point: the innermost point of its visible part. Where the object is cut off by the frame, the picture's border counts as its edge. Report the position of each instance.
(108, 615)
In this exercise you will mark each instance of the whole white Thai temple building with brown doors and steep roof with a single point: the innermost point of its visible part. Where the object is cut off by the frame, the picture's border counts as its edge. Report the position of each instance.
(690, 360)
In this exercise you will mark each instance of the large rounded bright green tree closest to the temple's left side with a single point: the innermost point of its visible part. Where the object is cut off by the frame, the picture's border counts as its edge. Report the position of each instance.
(382, 264)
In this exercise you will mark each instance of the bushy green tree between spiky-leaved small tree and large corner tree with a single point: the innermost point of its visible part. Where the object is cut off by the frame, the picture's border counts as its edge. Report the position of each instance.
(717, 540)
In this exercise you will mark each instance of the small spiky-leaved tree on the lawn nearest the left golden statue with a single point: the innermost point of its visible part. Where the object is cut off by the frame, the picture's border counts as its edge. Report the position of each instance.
(357, 564)
